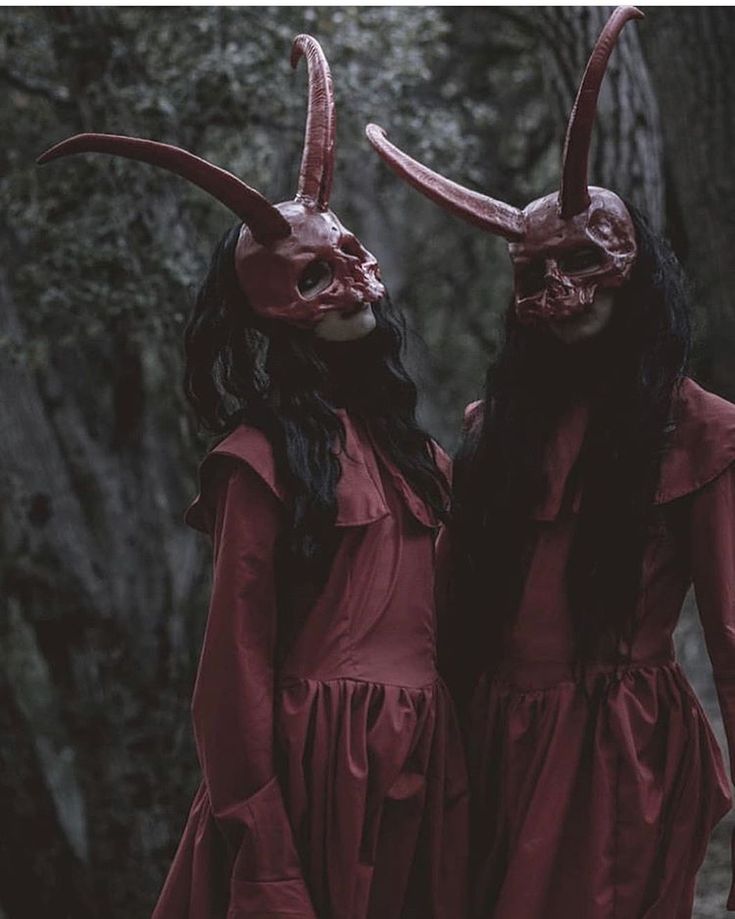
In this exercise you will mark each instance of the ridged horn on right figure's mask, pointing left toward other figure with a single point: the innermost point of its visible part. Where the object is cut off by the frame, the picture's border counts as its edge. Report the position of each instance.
(487, 213)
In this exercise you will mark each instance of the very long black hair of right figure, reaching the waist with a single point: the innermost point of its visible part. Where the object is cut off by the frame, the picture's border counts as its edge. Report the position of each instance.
(629, 374)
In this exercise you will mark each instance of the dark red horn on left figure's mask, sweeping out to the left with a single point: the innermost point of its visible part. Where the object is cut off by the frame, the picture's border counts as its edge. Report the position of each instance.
(266, 223)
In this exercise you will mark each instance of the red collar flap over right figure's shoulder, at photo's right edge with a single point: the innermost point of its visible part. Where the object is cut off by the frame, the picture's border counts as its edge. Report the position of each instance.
(702, 442)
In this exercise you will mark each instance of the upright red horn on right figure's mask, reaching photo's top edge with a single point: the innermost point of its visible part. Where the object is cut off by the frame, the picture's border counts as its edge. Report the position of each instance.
(573, 196)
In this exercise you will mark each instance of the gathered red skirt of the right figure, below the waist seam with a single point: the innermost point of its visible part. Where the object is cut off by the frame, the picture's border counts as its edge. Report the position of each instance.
(591, 800)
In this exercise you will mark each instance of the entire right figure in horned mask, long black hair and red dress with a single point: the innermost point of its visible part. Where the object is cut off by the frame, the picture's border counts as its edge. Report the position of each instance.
(595, 485)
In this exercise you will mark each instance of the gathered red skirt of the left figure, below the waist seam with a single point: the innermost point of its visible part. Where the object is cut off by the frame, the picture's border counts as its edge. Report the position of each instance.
(375, 789)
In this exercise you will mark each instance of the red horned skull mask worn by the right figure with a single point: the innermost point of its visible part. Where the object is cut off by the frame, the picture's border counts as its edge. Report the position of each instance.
(565, 245)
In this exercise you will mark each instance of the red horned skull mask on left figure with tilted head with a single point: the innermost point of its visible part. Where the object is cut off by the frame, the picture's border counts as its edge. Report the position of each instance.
(294, 261)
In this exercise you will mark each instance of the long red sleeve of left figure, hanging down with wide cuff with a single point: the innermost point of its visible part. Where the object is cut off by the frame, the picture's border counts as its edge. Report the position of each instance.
(233, 701)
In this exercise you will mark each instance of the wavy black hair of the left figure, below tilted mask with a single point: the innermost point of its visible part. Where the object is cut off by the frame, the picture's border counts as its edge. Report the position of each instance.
(241, 368)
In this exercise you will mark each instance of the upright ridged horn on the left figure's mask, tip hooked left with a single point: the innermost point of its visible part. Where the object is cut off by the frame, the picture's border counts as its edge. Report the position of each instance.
(317, 162)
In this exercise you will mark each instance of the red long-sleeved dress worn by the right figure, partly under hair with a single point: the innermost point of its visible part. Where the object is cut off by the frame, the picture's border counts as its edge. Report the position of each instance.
(599, 805)
